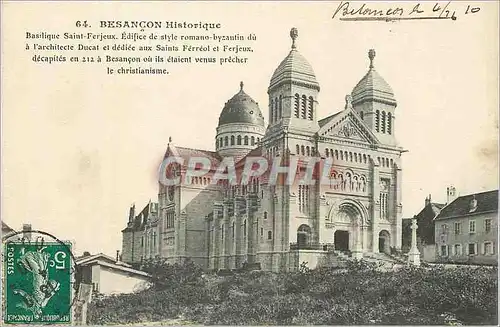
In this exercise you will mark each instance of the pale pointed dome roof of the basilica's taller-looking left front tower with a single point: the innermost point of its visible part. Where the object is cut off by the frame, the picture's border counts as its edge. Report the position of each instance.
(294, 68)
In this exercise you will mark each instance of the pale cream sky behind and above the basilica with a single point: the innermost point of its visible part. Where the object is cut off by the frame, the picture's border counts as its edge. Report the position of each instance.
(80, 146)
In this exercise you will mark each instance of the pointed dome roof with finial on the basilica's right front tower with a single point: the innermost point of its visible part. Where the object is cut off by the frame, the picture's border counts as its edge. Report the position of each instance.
(372, 87)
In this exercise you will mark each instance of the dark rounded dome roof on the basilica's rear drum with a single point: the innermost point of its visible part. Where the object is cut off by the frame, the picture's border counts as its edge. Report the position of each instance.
(241, 108)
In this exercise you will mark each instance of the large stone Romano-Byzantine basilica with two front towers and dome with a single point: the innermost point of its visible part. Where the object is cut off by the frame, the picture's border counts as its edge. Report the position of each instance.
(278, 226)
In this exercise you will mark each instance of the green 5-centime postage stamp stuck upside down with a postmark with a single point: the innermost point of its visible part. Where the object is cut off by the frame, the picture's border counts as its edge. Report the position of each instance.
(37, 282)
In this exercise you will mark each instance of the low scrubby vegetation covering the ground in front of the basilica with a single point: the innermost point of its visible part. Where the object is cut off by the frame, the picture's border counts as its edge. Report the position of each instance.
(357, 294)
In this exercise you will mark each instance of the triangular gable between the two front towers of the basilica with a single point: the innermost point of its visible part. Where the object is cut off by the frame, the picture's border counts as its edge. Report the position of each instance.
(347, 125)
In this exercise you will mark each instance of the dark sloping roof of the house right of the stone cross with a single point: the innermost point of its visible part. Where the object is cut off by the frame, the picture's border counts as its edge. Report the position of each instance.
(472, 204)
